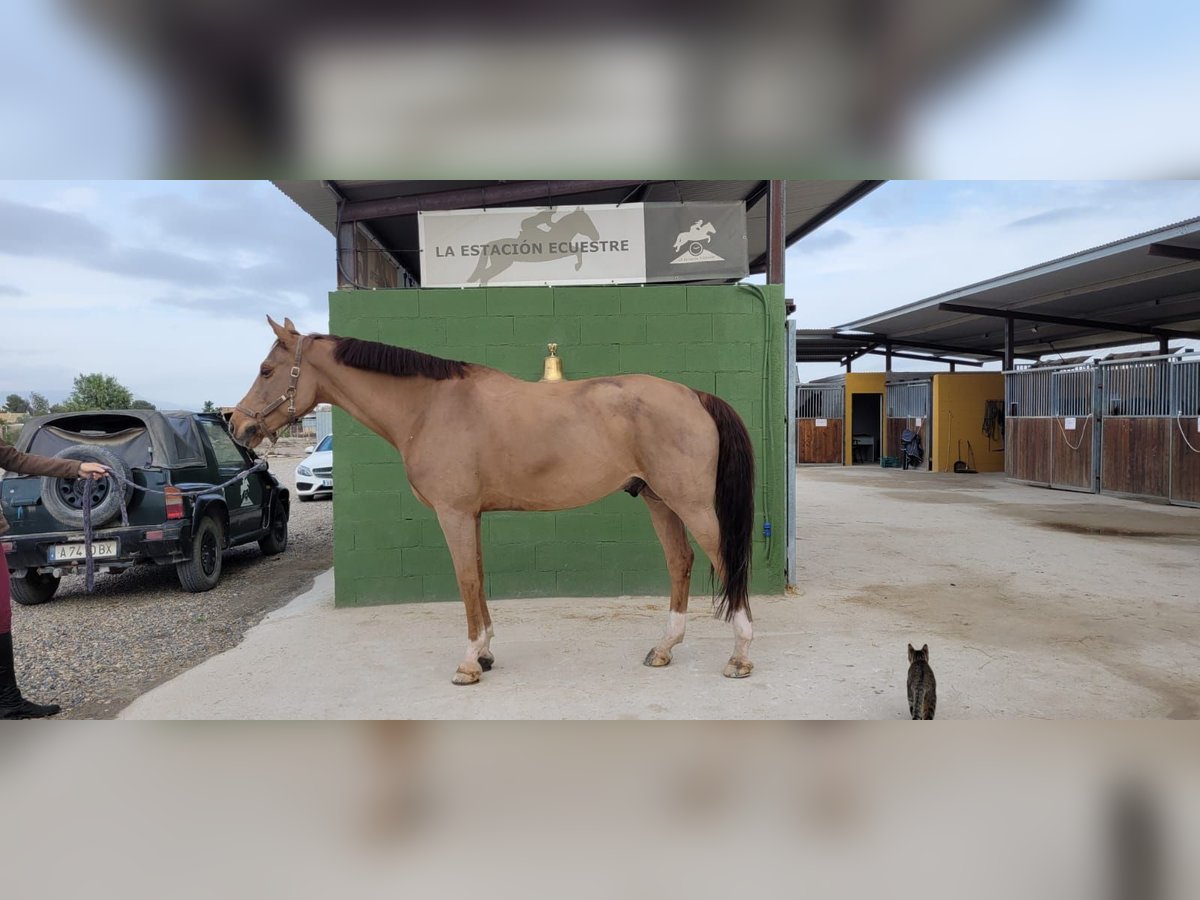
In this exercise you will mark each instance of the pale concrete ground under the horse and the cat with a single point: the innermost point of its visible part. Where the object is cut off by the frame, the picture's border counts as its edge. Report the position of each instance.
(1034, 603)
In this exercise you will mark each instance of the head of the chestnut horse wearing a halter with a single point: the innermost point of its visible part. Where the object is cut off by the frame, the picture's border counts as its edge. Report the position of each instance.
(284, 392)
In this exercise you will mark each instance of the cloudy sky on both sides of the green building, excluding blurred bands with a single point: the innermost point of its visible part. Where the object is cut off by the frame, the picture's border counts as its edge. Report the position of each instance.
(165, 285)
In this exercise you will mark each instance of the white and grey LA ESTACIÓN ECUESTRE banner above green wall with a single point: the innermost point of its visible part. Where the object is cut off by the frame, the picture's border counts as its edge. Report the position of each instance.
(625, 244)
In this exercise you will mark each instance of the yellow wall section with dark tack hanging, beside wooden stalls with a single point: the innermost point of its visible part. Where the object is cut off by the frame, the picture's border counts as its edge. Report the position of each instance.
(959, 405)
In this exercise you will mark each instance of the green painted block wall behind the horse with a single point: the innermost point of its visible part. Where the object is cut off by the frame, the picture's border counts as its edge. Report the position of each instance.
(388, 548)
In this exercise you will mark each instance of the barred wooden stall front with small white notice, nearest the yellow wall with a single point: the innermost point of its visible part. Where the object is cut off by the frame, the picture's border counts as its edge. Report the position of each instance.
(1051, 427)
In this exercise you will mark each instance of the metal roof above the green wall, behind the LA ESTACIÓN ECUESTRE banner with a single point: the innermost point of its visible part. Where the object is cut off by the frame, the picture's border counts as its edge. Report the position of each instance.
(388, 209)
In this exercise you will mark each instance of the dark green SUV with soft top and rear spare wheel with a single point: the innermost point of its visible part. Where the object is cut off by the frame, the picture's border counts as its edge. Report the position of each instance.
(189, 524)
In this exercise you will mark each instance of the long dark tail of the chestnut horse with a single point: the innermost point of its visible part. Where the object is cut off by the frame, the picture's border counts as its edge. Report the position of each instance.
(735, 503)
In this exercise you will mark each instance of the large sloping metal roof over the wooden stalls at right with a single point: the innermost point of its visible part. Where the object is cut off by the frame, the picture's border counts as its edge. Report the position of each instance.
(1132, 291)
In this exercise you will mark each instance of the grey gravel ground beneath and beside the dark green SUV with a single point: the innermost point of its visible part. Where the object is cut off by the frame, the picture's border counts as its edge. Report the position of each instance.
(97, 653)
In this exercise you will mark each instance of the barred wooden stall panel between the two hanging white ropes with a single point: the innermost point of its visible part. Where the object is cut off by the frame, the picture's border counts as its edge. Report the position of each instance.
(1136, 401)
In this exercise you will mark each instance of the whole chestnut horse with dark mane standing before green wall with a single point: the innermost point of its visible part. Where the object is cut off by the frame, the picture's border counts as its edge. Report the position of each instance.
(476, 440)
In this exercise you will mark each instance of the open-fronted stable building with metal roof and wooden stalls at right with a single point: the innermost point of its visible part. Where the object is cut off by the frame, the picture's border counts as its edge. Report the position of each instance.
(1125, 424)
